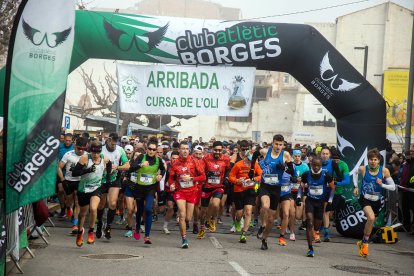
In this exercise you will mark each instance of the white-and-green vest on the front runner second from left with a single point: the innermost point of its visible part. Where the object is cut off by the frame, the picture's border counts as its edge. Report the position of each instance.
(91, 181)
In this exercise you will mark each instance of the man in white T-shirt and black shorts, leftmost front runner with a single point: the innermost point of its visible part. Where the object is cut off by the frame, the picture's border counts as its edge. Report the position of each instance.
(71, 183)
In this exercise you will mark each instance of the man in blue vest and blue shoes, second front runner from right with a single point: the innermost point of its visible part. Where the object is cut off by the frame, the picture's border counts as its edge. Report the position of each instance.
(316, 183)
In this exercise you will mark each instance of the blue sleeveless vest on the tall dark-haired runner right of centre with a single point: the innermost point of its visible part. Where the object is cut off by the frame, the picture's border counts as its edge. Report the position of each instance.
(270, 174)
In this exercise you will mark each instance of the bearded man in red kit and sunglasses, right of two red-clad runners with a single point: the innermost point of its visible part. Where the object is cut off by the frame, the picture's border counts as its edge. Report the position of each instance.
(216, 166)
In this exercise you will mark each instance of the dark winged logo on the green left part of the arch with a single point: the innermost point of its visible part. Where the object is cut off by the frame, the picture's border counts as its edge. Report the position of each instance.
(154, 38)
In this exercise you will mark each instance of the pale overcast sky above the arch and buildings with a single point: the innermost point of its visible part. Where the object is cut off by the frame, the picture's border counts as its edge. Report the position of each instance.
(276, 9)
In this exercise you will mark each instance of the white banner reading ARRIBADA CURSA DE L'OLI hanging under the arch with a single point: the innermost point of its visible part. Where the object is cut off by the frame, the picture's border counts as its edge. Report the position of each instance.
(185, 90)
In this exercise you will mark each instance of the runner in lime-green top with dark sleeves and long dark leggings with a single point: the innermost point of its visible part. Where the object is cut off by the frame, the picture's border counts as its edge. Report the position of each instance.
(143, 185)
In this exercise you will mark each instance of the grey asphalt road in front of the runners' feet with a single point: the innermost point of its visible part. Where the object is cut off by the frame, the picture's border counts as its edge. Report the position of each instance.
(219, 253)
